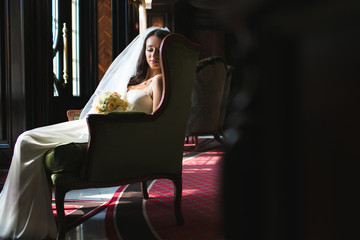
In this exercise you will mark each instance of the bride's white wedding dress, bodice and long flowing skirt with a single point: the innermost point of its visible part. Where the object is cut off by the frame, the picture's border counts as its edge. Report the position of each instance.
(25, 205)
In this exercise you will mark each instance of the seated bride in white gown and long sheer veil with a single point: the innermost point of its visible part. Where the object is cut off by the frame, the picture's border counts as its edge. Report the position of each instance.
(25, 206)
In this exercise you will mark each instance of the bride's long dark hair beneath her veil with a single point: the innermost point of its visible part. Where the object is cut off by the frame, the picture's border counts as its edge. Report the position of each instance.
(142, 65)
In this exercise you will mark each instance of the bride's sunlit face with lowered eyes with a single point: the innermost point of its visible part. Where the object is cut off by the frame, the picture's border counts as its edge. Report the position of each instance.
(152, 52)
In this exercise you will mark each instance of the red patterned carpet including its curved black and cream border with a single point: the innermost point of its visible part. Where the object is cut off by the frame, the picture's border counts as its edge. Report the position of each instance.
(130, 217)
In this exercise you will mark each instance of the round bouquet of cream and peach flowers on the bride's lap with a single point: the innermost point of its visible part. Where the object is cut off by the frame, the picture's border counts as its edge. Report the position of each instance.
(110, 101)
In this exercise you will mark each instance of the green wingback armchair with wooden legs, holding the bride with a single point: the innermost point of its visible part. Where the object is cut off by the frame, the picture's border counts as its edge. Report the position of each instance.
(113, 157)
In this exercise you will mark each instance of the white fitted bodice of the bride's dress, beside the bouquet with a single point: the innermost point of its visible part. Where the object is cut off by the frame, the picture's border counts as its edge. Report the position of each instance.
(140, 101)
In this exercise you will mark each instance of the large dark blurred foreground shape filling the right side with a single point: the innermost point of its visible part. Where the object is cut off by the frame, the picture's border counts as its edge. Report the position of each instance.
(292, 161)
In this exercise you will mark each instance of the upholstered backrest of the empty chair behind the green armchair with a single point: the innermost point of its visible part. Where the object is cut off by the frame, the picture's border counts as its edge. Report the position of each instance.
(207, 96)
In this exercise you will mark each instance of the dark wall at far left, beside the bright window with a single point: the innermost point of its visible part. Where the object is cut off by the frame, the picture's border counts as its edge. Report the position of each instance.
(24, 69)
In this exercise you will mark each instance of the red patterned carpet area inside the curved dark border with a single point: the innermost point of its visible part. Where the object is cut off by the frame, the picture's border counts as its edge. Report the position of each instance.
(200, 203)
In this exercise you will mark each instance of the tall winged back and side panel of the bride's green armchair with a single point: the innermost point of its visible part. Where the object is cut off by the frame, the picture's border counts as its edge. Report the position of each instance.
(151, 145)
